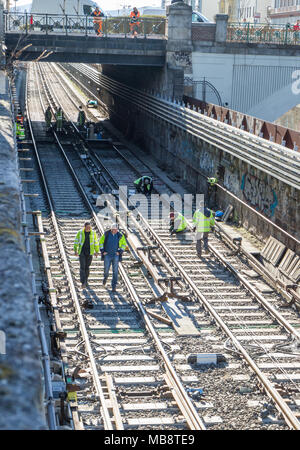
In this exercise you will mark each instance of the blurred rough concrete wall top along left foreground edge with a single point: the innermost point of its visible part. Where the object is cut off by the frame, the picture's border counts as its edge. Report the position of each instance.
(21, 402)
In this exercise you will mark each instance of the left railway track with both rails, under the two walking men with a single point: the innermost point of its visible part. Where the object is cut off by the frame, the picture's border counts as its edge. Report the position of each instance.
(96, 332)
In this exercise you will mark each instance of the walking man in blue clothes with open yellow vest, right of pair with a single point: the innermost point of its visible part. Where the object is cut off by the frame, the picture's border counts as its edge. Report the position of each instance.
(112, 246)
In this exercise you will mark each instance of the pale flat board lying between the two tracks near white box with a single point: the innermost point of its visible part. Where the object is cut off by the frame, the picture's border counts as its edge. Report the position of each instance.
(179, 316)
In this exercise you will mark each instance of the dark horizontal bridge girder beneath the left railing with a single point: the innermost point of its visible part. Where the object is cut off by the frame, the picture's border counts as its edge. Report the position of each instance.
(88, 49)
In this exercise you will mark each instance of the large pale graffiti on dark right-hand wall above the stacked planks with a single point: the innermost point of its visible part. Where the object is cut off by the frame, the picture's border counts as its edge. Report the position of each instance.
(259, 194)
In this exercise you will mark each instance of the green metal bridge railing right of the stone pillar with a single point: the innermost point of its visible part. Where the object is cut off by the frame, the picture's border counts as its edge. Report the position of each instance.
(263, 33)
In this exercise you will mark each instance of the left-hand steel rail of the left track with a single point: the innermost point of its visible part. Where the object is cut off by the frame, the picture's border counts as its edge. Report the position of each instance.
(105, 414)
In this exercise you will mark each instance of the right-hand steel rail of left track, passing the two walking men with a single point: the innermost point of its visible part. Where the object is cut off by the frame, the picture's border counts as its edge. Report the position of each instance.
(195, 422)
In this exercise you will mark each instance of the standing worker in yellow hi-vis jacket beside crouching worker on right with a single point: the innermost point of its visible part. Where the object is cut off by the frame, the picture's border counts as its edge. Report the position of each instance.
(204, 222)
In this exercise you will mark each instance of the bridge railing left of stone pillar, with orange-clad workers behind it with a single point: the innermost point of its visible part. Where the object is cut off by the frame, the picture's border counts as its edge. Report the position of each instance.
(75, 24)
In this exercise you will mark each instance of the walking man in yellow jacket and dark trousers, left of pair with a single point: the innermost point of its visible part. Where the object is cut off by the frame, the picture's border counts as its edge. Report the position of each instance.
(86, 245)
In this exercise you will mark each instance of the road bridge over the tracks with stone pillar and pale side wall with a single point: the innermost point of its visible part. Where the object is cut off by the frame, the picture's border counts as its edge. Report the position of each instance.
(254, 69)
